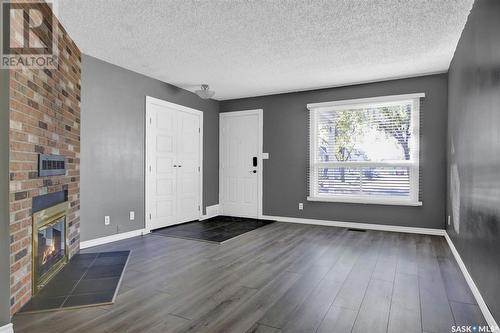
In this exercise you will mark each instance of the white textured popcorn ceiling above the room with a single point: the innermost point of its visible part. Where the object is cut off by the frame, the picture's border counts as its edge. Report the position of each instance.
(249, 48)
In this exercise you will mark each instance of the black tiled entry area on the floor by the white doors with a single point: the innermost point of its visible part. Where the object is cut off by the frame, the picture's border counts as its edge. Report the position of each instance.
(216, 229)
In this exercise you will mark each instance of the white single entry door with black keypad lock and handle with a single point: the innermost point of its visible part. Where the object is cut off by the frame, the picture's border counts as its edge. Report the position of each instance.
(241, 163)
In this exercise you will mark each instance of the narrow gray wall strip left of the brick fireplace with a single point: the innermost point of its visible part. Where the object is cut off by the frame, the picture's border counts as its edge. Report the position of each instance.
(4, 200)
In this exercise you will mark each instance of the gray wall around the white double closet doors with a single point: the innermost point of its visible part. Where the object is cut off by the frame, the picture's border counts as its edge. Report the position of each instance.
(112, 142)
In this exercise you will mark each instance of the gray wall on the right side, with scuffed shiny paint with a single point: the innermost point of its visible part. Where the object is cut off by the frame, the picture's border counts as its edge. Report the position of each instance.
(474, 149)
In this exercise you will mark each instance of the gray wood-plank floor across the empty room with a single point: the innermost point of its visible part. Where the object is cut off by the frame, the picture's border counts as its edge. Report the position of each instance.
(279, 278)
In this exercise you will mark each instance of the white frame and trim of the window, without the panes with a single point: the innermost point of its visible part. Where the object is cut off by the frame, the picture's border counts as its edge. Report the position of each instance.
(414, 164)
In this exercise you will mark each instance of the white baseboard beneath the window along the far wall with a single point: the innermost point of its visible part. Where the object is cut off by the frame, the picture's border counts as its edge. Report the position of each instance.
(368, 226)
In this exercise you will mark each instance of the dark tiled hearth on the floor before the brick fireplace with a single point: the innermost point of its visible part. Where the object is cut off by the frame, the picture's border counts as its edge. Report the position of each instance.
(88, 279)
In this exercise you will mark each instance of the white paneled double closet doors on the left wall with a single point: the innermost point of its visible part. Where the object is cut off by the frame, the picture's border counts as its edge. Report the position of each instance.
(173, 164)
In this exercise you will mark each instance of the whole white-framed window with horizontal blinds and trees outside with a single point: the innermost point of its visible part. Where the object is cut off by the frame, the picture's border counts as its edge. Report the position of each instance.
(365, 150)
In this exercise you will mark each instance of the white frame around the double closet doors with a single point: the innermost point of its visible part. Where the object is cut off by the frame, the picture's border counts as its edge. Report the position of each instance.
(150, 100)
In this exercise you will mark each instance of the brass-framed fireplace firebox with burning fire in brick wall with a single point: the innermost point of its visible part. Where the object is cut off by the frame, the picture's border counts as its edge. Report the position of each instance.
(50, 248)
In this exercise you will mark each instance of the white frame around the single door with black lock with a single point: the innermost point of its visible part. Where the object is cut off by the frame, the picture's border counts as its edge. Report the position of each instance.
(260, 168)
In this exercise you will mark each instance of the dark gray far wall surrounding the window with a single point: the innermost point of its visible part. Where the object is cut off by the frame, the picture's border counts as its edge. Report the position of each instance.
(286, 140)
